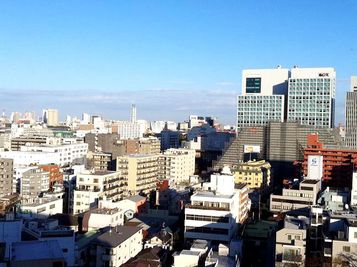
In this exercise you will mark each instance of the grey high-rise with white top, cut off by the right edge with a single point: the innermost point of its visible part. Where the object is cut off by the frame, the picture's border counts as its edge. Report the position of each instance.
(351, 115)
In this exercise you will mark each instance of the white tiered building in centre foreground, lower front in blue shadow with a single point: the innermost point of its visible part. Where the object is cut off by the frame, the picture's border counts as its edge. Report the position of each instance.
(214, 213)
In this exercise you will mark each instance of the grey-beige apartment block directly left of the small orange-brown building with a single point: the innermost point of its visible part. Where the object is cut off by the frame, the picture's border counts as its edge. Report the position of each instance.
(34, 182)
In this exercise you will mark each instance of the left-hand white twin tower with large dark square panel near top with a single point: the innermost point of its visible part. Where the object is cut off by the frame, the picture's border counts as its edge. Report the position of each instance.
(263, 96)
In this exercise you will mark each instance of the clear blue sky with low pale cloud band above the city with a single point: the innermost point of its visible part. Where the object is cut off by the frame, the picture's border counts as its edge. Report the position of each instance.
(171, 58)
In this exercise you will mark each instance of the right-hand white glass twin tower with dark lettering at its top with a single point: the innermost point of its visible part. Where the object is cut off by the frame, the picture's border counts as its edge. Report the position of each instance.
(311, 96)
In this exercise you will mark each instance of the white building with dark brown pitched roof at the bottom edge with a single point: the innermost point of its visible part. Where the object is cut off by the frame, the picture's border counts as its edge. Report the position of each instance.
(118, 245)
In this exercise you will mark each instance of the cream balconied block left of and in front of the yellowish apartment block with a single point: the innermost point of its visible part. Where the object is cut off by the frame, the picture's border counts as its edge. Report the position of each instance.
(90, 186)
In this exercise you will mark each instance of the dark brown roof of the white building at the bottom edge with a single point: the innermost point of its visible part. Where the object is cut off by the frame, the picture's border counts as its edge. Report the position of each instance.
(116, 236)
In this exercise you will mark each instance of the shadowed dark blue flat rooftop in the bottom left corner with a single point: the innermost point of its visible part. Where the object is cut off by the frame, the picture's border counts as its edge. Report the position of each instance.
(36, 250)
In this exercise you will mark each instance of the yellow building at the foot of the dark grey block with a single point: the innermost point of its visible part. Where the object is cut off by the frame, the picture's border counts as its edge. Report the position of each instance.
(256, 174)
